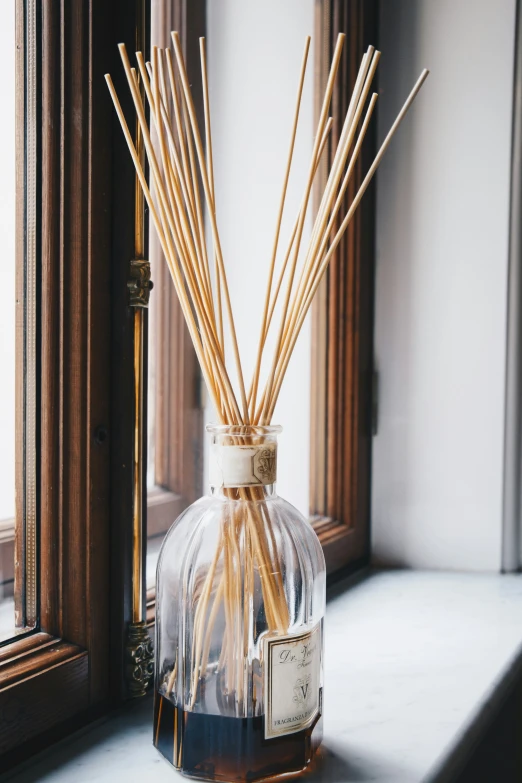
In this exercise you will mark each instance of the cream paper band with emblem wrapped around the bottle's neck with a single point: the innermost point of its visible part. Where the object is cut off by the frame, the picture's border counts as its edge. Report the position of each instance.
(243, 466)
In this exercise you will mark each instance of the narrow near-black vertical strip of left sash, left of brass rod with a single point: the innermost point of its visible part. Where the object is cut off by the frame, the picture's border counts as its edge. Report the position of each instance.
(97, 421)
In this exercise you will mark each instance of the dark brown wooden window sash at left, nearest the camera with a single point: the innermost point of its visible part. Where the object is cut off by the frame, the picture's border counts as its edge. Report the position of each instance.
(50, 680)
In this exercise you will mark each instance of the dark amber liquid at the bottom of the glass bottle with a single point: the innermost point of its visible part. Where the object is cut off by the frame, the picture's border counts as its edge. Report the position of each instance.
(213, 747)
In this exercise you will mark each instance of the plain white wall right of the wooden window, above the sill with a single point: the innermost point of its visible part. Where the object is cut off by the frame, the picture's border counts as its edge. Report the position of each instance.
(442, 238)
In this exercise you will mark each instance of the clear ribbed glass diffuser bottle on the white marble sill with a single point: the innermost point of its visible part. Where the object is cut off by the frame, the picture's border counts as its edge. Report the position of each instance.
(239, 640)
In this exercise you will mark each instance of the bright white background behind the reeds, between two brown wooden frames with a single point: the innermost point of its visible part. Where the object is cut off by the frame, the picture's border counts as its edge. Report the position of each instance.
(254, 70)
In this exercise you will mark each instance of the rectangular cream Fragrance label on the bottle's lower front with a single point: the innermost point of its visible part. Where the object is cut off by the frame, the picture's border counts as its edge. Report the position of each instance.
(292, 671)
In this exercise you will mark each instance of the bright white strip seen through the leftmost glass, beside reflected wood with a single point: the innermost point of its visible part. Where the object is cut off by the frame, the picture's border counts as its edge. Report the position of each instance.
(7, 232)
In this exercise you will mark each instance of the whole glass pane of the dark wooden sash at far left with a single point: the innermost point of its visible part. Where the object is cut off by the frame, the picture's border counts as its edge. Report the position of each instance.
(18, 587)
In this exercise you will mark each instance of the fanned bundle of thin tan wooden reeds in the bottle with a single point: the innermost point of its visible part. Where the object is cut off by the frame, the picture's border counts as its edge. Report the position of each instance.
(180, 166)
